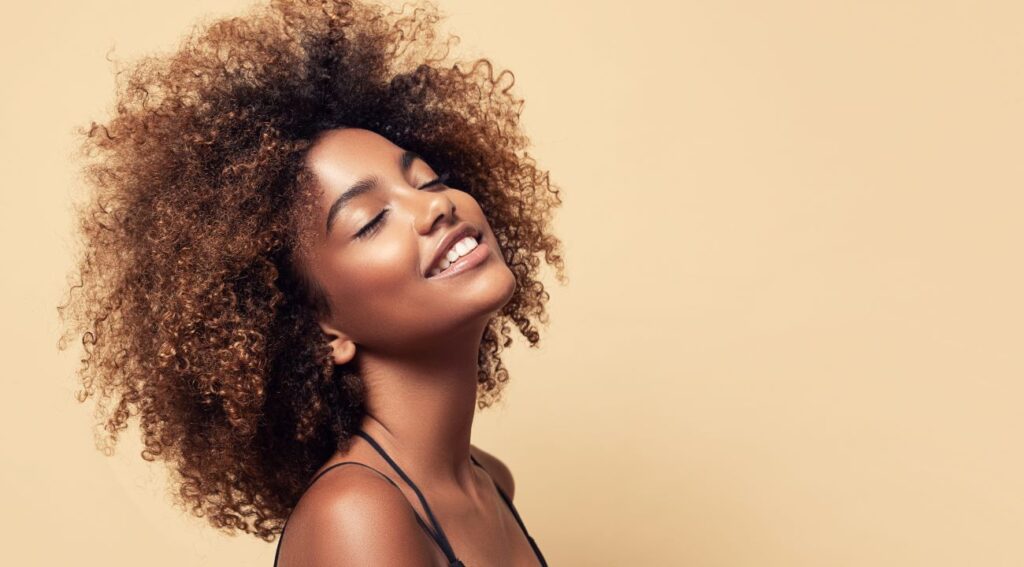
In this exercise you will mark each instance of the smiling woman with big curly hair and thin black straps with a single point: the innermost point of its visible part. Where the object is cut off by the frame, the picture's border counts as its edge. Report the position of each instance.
(308, 242)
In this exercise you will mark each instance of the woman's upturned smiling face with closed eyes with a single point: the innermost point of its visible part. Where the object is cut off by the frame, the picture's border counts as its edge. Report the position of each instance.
(385, 220)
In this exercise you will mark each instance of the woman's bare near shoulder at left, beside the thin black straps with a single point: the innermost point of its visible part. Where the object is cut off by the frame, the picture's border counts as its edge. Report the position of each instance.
(354, 516)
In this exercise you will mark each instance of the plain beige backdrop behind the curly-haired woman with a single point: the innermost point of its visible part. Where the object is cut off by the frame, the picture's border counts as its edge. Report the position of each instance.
(793, 333)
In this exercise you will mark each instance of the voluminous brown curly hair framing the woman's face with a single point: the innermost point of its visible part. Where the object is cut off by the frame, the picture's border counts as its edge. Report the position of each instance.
(188, 296)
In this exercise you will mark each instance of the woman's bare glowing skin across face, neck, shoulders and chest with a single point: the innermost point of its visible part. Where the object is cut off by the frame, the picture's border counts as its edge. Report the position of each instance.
(415, 341)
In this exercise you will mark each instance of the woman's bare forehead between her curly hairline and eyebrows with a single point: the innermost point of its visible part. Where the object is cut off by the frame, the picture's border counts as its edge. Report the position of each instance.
(340, 157)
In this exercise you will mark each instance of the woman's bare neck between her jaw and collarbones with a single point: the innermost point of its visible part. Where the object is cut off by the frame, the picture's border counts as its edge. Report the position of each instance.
(420, 409)
